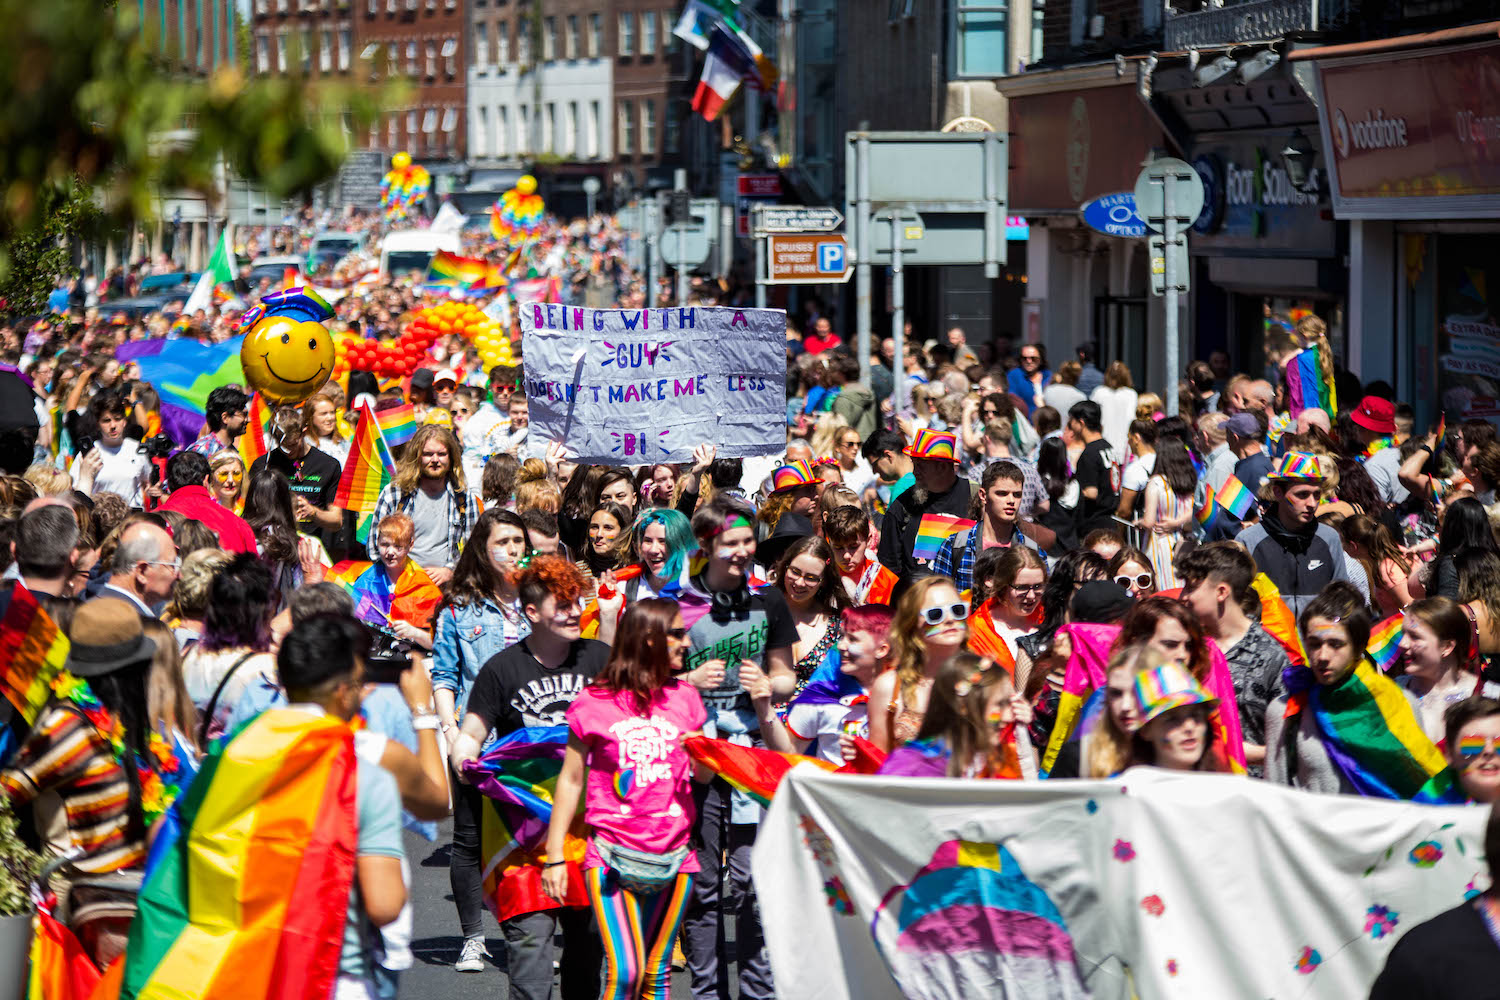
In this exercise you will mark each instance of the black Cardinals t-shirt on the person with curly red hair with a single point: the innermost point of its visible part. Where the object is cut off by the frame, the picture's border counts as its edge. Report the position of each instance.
(514, 690)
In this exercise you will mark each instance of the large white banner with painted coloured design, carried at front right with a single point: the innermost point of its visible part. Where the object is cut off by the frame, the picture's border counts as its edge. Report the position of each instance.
(1172, 885)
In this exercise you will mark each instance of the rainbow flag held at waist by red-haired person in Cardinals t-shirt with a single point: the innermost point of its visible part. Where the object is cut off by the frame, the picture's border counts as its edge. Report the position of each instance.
(518, 776)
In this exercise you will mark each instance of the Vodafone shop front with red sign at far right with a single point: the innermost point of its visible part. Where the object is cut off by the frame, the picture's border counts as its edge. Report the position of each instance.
(1412, 139)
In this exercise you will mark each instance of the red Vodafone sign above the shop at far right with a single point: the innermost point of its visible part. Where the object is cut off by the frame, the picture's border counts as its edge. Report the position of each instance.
(1414, 136)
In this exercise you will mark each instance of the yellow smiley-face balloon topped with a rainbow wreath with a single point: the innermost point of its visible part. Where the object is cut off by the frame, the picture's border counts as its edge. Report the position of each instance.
(287, 355)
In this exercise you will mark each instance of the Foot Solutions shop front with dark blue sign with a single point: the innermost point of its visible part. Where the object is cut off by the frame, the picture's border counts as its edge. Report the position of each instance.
(1265, 251)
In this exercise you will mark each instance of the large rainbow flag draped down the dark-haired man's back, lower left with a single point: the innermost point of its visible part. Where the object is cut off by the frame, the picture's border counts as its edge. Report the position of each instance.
(248, 897)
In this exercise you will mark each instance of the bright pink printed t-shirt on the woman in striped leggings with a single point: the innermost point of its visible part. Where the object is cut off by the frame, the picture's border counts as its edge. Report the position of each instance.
(640, 791)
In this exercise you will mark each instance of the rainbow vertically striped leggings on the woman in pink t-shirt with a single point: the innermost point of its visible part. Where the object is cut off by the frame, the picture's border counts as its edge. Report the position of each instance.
(638, 935)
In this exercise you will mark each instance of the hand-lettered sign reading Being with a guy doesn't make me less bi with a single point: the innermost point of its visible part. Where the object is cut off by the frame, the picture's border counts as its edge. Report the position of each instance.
(638, 386)
